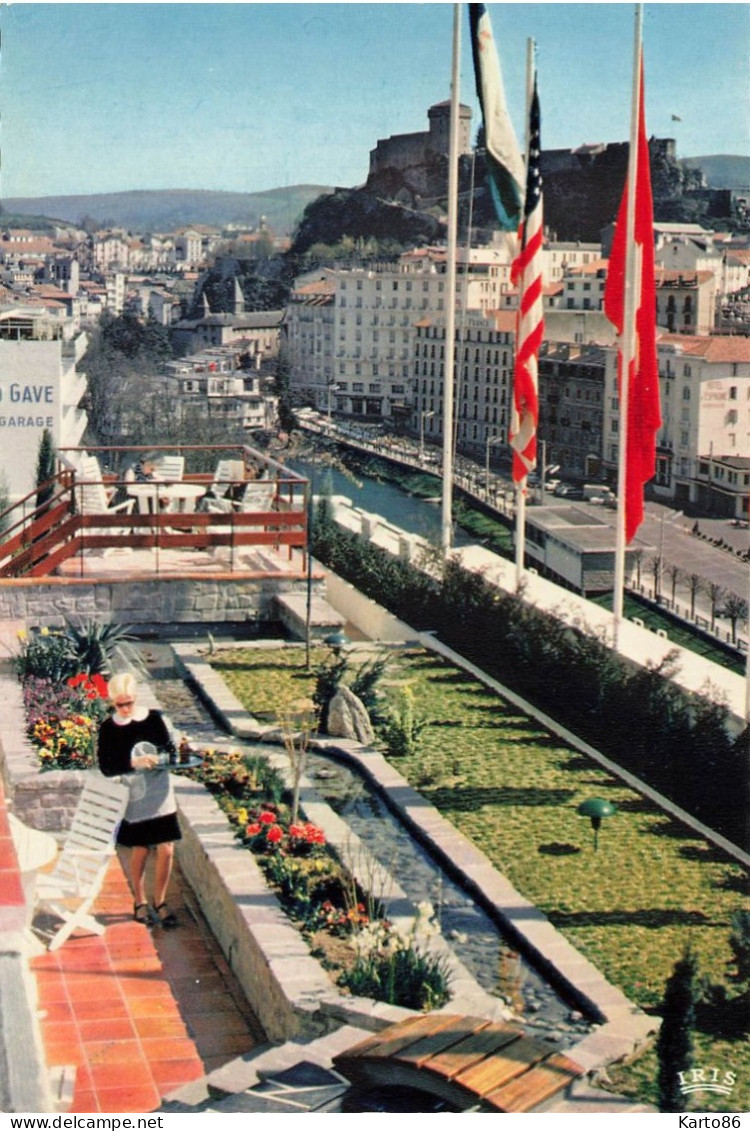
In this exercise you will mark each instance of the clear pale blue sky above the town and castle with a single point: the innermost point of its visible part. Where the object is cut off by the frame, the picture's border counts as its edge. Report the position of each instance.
(100, 98)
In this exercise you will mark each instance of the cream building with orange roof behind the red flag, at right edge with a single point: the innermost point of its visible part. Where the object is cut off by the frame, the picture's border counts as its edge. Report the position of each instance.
(705, 404)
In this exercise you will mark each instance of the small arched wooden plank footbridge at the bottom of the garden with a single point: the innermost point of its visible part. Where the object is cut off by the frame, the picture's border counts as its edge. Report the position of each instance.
(470, 1063)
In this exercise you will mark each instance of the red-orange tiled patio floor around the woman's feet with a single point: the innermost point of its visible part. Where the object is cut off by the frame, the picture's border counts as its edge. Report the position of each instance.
(140, 1012)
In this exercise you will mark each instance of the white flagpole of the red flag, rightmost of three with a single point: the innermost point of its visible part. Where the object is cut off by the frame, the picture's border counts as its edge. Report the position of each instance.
(628, 343)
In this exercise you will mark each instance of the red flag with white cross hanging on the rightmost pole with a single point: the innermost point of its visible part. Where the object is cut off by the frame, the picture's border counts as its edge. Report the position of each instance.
(644, 417)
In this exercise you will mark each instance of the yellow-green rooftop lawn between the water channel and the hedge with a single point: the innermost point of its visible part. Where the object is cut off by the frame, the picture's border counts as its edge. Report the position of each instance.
(632, 908)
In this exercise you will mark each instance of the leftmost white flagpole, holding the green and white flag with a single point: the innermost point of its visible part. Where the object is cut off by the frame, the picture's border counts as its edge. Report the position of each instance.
(451, 300)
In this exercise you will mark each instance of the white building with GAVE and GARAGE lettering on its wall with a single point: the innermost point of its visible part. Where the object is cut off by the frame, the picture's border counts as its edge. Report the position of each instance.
(40, 388)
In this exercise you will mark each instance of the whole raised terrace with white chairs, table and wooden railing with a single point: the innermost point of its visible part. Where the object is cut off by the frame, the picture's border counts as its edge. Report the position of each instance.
(99, 523)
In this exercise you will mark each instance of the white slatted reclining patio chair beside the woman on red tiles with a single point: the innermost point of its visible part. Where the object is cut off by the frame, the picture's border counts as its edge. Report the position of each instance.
(72, 887)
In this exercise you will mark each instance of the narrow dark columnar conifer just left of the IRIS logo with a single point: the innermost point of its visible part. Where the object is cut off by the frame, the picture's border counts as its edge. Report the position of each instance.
(675, 1044)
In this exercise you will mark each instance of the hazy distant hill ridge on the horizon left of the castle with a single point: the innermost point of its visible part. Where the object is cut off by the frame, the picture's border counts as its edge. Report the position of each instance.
(163, 211)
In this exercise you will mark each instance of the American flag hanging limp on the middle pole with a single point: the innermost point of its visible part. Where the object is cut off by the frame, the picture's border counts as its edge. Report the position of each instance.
(528, 273)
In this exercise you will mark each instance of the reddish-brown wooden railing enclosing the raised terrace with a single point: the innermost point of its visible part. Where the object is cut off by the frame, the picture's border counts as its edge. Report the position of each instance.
(59, 521)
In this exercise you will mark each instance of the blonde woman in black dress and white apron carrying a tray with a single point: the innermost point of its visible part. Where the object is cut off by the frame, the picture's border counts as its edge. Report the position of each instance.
(151, 819)
